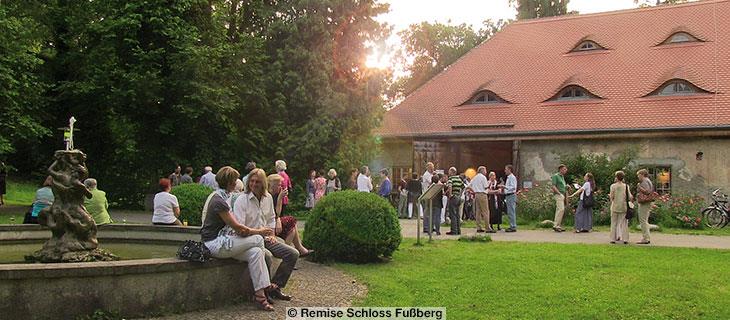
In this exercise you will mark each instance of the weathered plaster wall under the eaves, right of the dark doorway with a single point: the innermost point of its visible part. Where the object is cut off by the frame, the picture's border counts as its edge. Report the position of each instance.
(539, 159)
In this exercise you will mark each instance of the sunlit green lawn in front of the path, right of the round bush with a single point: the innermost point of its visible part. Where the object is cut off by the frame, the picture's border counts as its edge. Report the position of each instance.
(502, 280)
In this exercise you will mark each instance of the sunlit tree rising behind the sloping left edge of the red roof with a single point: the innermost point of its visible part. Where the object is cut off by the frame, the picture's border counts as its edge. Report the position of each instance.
(428, 48)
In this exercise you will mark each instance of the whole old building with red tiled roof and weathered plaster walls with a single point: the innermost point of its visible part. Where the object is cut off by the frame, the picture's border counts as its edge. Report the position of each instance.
(653, 80)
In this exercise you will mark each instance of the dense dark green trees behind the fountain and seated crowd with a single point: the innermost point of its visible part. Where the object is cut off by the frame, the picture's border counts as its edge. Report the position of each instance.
(191, 82)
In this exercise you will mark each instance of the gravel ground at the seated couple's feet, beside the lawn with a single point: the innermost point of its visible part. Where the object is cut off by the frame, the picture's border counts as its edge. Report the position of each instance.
(312, 285)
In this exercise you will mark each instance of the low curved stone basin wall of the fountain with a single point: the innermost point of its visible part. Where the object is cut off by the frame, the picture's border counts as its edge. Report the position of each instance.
(131, 288)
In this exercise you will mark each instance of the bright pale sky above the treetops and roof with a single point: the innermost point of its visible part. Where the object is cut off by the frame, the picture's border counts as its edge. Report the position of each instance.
(406, 12)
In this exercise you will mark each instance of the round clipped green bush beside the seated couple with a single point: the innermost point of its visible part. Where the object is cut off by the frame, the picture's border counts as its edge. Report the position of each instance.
(350, 226)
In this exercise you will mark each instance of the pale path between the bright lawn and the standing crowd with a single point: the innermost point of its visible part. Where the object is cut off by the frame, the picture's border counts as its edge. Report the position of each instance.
(408, 229)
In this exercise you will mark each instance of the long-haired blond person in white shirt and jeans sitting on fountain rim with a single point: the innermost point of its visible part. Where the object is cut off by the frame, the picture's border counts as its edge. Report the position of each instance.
(255, 209)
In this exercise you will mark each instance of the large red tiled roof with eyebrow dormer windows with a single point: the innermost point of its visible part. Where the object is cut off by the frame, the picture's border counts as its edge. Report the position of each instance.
(528, 62)
